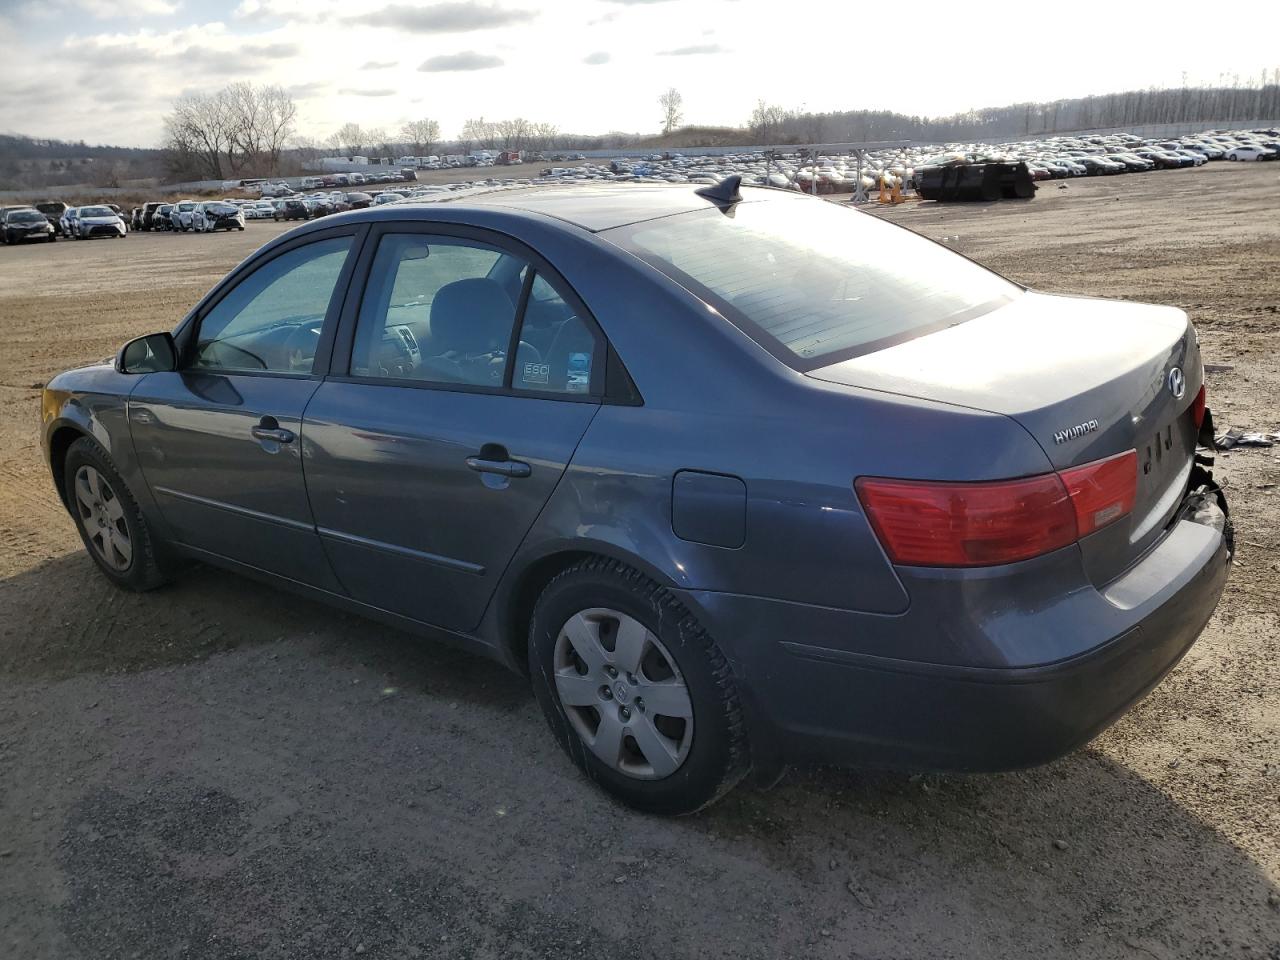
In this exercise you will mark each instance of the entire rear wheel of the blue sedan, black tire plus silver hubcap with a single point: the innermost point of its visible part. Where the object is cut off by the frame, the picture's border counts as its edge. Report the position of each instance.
(696, 761)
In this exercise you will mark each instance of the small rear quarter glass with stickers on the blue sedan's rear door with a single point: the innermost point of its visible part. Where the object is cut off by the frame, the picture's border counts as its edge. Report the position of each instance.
(557, 349)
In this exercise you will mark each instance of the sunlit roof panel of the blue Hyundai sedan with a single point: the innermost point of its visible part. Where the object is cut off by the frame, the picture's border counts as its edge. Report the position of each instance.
(593, 208)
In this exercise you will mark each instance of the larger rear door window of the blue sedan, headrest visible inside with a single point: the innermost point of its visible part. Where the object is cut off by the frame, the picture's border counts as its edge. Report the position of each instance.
(438, 310)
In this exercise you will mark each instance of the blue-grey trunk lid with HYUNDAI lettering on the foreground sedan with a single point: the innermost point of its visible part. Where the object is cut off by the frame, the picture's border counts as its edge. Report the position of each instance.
(1086, 378)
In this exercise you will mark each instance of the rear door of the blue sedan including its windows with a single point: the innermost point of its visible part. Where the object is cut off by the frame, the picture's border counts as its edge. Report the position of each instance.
(464, 378)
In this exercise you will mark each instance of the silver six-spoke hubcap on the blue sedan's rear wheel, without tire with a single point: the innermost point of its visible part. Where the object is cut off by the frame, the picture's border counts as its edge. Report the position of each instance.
(624, 693)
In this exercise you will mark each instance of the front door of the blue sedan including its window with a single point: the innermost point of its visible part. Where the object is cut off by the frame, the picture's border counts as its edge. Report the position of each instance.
(221, 440)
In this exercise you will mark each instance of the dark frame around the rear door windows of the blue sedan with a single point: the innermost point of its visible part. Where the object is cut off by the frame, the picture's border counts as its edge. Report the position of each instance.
(345, 339)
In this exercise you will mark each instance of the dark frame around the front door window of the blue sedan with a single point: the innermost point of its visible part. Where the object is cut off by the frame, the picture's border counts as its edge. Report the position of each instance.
(188, 333)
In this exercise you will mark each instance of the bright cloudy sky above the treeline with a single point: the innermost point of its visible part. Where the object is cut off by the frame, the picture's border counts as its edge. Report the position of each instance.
(108, 71)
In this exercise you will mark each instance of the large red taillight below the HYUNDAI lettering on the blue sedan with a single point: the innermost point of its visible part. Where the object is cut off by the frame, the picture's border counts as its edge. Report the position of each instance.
(943, 524)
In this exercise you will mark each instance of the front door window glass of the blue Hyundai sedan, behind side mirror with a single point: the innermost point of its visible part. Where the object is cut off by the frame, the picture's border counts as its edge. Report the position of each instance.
(272, 321)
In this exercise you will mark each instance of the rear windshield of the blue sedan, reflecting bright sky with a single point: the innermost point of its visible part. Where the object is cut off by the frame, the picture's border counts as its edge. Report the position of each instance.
(813, 282)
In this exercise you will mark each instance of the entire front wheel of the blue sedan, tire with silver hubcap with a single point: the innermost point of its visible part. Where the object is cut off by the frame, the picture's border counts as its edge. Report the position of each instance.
(107, 532)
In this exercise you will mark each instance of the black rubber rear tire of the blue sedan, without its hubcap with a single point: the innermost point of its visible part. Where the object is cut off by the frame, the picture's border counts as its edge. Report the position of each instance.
(714, 761)
